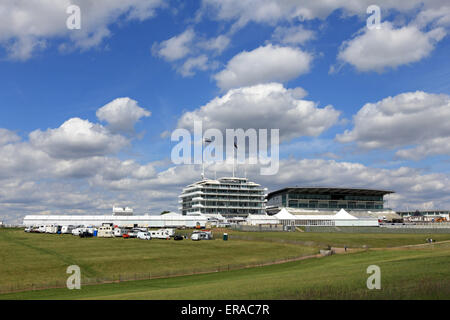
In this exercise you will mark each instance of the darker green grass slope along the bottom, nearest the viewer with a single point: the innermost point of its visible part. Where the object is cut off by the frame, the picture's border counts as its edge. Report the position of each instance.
(408, 274)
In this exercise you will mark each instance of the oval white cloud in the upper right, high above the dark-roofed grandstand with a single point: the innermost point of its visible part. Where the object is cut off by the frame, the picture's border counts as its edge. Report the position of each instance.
(388, 47)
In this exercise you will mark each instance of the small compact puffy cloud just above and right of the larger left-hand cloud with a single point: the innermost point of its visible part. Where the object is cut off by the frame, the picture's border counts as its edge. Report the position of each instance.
(122, 114)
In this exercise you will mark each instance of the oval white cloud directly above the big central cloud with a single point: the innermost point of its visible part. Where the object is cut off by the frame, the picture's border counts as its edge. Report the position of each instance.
(264, 64)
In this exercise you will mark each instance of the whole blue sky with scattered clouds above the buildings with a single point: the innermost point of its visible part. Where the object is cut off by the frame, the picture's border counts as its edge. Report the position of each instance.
(43, 86)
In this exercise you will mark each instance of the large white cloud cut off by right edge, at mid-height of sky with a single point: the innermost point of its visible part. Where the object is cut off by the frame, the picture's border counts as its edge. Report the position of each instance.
(408, 119)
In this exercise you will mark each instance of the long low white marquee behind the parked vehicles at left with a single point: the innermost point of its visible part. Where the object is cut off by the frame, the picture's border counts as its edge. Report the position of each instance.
(169, 220)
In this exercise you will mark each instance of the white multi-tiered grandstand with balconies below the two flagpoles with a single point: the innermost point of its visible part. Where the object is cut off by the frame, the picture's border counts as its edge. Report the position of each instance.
(229, 197)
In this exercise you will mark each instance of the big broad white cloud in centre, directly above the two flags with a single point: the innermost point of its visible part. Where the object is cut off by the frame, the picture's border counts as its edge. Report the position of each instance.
(269, 106)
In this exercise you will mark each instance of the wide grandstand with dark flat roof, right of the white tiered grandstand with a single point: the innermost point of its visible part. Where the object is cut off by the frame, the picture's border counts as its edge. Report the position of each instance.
(361, 203)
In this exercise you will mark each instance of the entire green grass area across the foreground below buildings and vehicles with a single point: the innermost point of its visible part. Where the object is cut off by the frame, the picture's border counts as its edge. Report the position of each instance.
(414, 273)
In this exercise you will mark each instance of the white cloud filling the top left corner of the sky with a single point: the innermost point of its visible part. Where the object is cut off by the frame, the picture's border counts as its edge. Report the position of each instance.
(26, 26)
